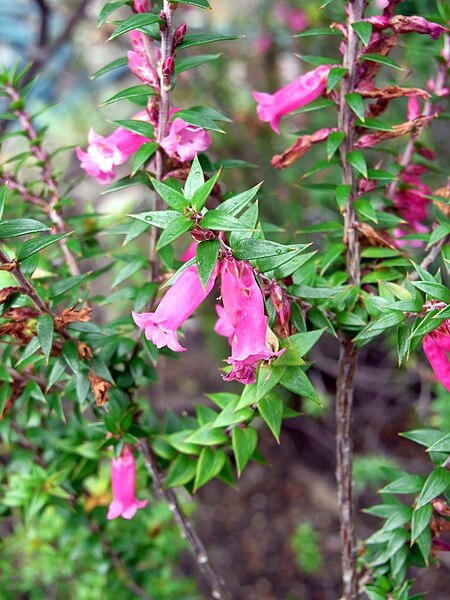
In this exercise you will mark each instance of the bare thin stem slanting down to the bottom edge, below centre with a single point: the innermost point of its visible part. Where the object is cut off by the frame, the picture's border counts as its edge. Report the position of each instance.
(218, 589)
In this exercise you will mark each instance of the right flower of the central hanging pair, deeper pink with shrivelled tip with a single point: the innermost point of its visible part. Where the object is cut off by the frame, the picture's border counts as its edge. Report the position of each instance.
(242, 320)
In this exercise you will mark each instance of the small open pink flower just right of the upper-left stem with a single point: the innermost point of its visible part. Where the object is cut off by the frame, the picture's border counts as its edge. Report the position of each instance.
(184, 141)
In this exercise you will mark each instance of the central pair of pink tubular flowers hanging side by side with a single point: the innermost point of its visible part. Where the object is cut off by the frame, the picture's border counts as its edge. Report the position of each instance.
(241, 317)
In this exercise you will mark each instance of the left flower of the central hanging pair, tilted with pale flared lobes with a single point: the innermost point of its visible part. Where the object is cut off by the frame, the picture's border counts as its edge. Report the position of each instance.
(177, 305)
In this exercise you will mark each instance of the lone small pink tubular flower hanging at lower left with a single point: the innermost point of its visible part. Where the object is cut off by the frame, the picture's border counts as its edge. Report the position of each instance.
(123, 476)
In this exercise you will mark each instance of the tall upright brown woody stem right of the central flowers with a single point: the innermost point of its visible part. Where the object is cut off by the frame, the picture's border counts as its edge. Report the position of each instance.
(348, 354)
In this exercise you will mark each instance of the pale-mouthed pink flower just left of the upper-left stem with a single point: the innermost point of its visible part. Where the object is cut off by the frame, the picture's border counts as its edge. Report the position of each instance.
(105, 153)
